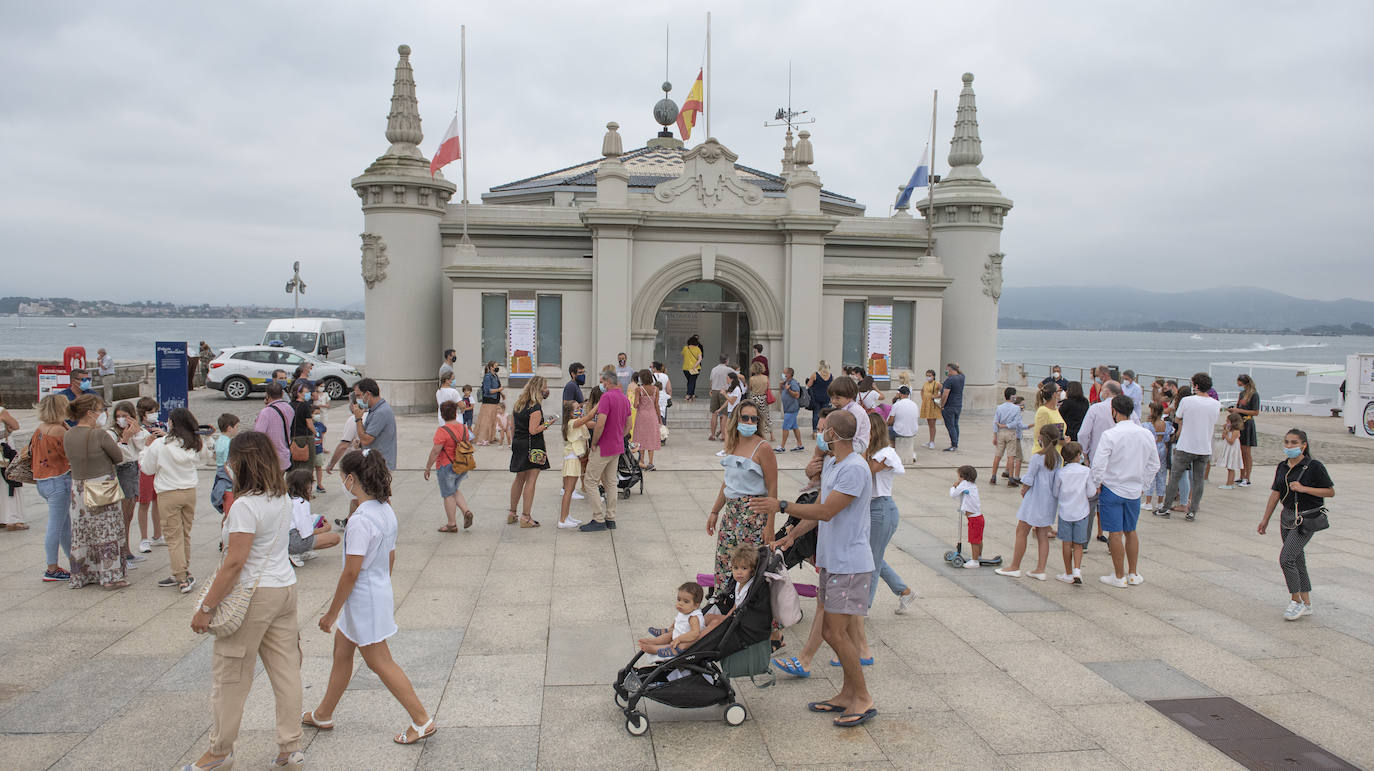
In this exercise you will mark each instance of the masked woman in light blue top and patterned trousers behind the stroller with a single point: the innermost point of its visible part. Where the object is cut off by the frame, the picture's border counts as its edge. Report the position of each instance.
(751, 471)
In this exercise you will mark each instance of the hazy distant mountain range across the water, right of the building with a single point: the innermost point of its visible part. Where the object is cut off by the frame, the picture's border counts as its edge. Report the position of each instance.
(1208, 310)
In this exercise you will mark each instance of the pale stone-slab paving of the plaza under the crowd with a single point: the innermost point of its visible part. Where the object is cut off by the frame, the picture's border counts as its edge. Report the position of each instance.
(513, 637)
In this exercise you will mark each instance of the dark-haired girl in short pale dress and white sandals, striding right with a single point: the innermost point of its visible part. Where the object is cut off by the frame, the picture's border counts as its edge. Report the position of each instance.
(363, 601)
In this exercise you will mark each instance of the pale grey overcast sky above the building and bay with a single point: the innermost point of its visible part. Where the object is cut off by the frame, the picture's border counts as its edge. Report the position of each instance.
(189, 152)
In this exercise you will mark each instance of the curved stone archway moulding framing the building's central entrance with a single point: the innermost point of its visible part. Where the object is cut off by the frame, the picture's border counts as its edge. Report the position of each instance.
(765, 313)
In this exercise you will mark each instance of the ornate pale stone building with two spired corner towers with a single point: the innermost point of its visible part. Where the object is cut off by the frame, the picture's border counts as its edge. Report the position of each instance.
(635, 252)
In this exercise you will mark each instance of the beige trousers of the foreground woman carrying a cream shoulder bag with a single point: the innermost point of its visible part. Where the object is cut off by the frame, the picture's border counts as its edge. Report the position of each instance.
(269, 633)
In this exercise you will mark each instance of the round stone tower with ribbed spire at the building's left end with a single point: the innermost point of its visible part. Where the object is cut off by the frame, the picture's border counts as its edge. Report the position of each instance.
(403, 256)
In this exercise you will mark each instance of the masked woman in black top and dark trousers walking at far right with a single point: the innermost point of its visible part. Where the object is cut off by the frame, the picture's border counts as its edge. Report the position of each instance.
(1302, 486)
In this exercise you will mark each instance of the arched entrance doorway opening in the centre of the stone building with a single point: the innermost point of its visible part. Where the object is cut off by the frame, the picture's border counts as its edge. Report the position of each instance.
(710, 311)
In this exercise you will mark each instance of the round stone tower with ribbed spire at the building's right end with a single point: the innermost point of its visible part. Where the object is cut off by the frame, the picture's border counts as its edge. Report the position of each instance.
(968, 230)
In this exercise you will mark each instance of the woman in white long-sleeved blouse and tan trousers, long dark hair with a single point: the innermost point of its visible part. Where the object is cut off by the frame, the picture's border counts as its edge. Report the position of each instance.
(172, 461)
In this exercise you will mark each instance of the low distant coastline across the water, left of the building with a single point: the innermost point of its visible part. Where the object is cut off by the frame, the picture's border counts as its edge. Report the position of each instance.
(69, 309)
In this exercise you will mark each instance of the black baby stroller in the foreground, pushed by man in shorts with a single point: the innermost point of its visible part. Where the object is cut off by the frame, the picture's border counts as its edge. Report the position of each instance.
(700, 677)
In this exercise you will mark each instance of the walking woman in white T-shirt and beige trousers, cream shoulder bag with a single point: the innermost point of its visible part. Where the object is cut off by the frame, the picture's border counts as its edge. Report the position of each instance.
(255, 550)
